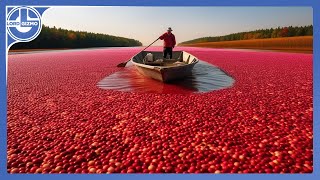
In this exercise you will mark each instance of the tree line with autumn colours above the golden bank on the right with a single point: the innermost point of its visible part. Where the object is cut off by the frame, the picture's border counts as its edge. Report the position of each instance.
(259, 34)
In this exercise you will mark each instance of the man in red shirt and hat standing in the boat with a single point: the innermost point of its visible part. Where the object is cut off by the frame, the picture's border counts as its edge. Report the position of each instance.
(169, 41)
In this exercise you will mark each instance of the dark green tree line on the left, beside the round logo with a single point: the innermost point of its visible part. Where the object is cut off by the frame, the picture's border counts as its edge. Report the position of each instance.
(62, 38)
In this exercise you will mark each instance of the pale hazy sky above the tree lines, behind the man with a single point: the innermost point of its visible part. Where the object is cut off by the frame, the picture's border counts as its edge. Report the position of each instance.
(147, 23)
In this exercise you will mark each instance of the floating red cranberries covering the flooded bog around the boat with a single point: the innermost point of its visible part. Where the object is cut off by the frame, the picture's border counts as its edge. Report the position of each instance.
(59, 121)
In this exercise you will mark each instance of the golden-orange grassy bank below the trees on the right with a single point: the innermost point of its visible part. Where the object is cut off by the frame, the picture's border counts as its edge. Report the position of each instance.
(303, 44)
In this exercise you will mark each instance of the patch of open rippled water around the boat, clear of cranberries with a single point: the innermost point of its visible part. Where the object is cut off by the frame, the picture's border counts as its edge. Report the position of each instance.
(205, 78)
